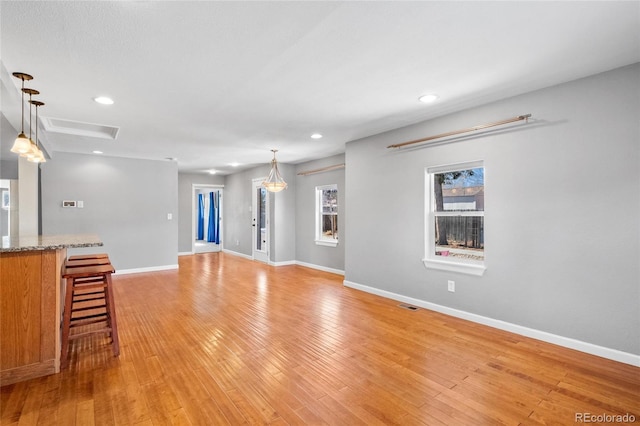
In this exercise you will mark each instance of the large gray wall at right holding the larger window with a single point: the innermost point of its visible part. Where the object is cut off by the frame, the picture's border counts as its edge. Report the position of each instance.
(562, 208)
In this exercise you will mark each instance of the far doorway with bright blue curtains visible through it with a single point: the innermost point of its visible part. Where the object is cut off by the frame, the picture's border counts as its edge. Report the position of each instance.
(207, 229)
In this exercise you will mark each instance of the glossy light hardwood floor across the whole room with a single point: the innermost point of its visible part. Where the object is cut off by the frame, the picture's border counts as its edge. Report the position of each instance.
(224, 340)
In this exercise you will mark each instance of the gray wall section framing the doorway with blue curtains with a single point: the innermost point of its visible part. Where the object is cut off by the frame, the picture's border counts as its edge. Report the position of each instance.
(185, 212)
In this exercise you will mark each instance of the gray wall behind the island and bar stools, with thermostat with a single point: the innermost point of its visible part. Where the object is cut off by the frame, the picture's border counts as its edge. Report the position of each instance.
(126, 203)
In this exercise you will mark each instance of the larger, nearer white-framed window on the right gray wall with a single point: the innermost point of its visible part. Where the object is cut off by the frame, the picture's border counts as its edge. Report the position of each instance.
(455, 218)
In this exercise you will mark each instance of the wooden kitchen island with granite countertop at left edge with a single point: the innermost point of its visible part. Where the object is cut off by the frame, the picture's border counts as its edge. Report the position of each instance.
(30, 303)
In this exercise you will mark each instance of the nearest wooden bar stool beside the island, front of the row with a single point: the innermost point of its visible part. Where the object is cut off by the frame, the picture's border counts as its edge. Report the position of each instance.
(89, 307)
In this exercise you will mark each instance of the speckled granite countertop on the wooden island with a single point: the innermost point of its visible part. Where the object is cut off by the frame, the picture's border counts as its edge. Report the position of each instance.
(49, 242)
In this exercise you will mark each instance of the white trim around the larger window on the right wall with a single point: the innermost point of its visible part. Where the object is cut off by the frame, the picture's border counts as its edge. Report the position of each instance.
(430, 260)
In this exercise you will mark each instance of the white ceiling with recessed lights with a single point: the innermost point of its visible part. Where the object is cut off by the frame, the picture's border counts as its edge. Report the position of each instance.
(212, 83)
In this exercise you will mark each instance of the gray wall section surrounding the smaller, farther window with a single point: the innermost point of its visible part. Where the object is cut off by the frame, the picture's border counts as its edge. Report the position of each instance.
(306, 249)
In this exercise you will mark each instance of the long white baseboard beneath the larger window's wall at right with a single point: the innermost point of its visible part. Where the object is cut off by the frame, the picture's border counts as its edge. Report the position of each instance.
(567, 342)
